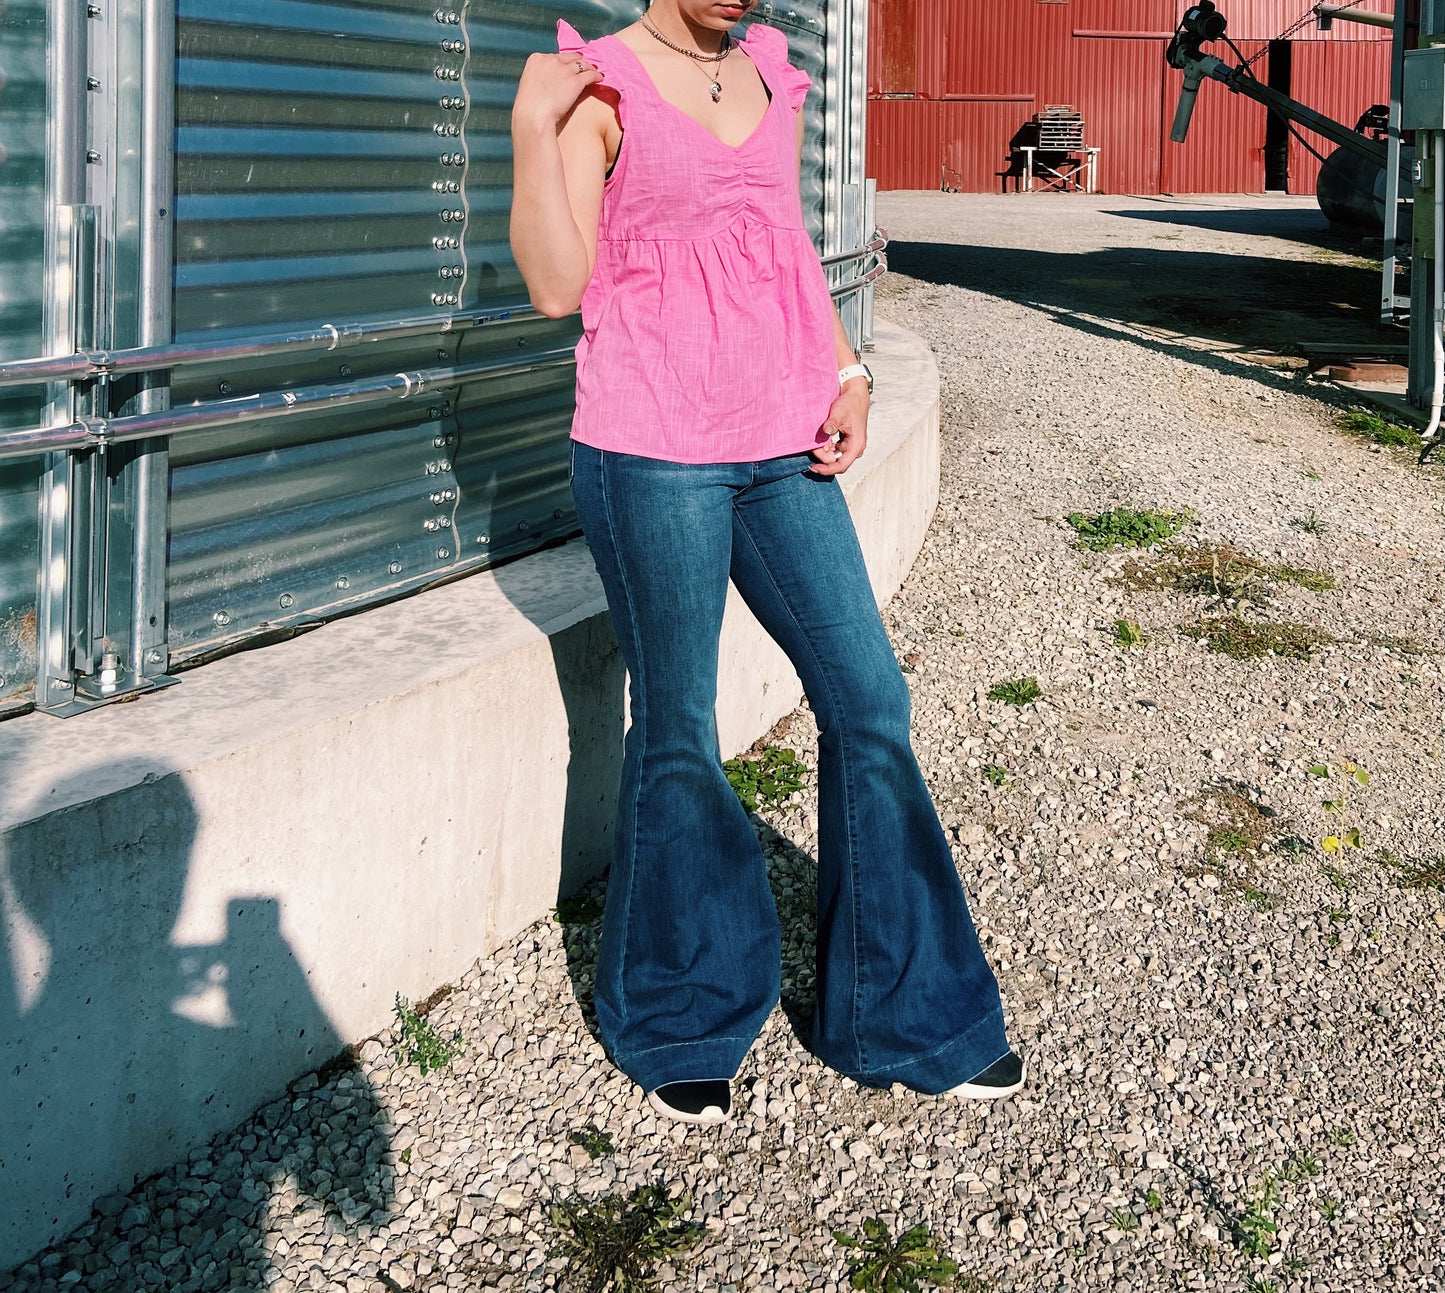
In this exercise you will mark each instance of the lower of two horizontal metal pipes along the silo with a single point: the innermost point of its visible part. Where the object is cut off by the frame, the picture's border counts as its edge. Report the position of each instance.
(98, 433)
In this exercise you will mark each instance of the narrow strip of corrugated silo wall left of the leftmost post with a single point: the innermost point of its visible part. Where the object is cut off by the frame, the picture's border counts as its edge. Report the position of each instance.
(22, 280)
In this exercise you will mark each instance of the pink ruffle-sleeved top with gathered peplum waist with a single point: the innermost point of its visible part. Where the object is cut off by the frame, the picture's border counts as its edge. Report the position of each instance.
(707, 327)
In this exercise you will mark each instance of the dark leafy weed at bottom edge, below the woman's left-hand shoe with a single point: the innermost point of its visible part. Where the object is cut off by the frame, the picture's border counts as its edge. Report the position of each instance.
(615, 1245)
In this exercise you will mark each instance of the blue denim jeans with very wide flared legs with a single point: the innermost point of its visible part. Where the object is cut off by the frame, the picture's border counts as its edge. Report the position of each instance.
(690, 959)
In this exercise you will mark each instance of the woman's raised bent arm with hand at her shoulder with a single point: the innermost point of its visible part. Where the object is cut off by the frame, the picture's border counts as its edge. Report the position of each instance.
(560, 165)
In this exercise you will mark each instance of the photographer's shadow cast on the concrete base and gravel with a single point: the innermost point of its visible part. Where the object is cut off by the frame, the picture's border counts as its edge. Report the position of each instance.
(118, 1038)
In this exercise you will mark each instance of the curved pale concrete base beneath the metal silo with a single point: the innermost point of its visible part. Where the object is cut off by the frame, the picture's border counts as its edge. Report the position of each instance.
(212, 891)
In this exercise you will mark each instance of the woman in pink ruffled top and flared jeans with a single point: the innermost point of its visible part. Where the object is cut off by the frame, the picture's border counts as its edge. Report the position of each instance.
(717, 401)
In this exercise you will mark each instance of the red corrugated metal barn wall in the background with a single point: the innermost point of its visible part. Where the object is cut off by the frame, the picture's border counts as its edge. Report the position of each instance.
(950, 85)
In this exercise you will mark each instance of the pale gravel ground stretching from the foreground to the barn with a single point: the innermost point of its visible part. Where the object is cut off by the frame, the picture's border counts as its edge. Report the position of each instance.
(1226, 1031)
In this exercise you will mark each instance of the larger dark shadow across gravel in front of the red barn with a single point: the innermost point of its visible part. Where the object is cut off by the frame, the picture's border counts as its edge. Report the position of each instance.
(1248, 304)
